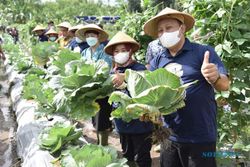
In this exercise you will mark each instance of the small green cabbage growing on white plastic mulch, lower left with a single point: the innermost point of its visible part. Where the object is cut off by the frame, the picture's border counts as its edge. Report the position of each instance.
(56, 137)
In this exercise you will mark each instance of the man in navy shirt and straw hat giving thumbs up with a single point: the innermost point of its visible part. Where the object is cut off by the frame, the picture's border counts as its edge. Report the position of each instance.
(194, 126)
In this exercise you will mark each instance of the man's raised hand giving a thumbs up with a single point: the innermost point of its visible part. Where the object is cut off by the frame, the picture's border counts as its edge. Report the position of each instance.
(209, 70)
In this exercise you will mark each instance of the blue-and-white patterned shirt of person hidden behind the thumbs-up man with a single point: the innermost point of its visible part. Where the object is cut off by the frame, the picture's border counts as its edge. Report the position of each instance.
(154, 48)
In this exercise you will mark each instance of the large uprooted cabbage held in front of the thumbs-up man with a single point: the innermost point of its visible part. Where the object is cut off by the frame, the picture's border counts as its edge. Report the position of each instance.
(152, 93)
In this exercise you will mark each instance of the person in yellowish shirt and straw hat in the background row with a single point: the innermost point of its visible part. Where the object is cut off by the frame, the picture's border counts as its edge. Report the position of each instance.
(64, 37)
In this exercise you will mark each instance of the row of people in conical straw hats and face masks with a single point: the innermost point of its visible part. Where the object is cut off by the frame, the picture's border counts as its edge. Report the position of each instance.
(194, 129)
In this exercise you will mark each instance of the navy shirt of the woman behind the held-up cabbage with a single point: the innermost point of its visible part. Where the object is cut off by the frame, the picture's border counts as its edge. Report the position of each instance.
(135, 126)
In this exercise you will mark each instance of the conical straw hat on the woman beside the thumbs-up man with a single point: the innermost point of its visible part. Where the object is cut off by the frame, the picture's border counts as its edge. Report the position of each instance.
(121, 38)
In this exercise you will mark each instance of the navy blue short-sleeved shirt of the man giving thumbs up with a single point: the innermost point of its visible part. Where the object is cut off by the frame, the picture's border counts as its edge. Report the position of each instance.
(196, 122)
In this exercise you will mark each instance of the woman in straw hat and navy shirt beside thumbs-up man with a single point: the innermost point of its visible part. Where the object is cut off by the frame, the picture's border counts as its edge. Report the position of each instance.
(135, 136)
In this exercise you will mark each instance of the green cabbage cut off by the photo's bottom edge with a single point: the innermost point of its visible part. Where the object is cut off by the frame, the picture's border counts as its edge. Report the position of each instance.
(92, 156)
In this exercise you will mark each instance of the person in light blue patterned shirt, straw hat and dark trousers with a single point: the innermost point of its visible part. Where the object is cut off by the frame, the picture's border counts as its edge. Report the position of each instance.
(94, 35)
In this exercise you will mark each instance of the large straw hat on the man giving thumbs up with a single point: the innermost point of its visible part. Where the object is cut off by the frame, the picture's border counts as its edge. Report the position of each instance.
(150, 27)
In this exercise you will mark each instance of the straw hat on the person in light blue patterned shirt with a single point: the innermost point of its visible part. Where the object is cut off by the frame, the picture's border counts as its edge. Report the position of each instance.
(103, 35)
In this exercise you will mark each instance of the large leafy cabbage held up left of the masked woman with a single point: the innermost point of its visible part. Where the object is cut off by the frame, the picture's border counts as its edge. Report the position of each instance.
(83, 83)
